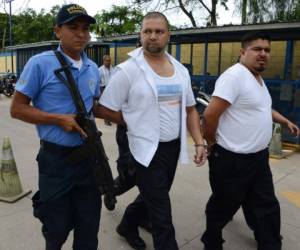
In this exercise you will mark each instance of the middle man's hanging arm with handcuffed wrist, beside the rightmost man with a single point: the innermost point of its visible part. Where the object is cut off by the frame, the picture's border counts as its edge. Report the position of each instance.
(193, 125)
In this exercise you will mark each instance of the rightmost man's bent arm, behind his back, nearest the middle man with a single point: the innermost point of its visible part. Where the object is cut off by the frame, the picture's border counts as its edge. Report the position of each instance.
(212, 115)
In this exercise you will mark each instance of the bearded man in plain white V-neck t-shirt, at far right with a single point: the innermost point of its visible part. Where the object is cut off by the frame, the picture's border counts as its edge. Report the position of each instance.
(238, 129)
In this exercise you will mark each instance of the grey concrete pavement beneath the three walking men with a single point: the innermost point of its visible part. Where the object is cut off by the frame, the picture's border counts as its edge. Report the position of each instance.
(19, 230)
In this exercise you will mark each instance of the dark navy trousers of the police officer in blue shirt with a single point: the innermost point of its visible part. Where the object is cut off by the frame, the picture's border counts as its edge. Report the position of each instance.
(67, 199)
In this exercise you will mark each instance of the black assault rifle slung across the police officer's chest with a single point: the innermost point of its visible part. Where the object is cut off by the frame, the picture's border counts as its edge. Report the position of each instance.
(92, 147)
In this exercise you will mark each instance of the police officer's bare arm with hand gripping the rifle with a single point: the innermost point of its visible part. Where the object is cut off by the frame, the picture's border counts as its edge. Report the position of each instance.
(22, 110)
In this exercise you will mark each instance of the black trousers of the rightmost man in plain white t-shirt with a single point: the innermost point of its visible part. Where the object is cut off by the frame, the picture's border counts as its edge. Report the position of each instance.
(242, 180)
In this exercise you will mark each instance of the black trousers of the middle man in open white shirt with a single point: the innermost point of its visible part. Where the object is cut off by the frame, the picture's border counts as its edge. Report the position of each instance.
(154, 183)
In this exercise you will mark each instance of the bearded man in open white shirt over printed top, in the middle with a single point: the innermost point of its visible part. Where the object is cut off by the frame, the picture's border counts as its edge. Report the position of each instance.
(151, 93)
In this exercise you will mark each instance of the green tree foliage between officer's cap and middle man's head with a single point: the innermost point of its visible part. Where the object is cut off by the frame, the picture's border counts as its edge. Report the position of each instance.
(119, 20)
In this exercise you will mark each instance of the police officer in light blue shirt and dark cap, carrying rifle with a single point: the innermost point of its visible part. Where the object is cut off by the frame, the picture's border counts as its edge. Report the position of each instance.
(68, 198)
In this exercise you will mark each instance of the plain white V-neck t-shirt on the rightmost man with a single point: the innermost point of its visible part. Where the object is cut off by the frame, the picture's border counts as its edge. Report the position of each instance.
(246, 125)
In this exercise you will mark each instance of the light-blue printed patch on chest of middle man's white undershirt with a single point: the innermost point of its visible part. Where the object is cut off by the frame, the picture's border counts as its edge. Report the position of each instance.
(169, 94)
